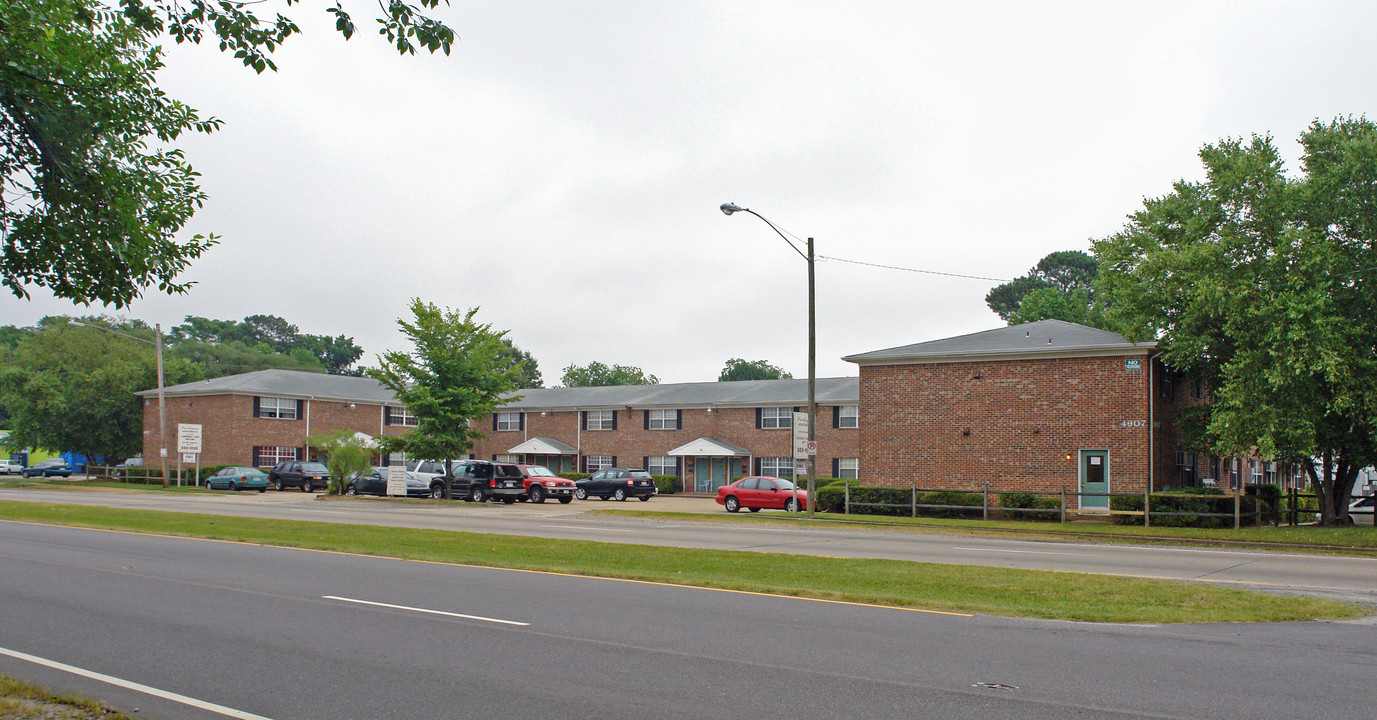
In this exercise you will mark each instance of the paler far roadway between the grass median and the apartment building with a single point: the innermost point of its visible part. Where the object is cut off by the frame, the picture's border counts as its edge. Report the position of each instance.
(1349, 579)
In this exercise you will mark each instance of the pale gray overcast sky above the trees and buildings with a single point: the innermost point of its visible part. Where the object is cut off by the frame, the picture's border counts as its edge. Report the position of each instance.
(564, 167)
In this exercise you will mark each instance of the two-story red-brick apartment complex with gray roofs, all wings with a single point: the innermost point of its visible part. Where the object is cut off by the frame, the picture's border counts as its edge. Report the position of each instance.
(1042, 407)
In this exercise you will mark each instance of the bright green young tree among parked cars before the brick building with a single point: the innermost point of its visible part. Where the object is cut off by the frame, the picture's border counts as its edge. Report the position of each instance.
(456, 374)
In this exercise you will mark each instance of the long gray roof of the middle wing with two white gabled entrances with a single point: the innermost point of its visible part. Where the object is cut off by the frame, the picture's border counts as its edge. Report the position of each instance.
(742, 394)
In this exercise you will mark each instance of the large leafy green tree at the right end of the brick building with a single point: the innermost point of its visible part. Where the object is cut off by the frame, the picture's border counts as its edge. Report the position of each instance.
(1265, 287)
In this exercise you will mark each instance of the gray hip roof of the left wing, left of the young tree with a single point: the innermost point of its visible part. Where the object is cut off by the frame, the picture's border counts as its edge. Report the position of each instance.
(287, 385)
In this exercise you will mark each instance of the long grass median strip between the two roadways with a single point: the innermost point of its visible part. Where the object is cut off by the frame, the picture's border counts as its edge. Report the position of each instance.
(890, 583)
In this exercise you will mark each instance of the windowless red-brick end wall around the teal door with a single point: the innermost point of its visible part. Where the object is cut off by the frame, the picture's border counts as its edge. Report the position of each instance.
(1013, 425)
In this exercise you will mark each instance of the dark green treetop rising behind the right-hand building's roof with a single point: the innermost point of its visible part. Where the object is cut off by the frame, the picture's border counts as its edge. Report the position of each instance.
(1062, 286)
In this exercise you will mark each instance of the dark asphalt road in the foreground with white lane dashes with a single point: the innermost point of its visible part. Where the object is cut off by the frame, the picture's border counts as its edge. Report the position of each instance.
(288, 634)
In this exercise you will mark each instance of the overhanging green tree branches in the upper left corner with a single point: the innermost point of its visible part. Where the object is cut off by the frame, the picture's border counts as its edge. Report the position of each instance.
(93, 195)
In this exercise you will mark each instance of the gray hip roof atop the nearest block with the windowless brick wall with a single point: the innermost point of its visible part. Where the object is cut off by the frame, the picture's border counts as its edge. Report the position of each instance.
(1047, 338)
